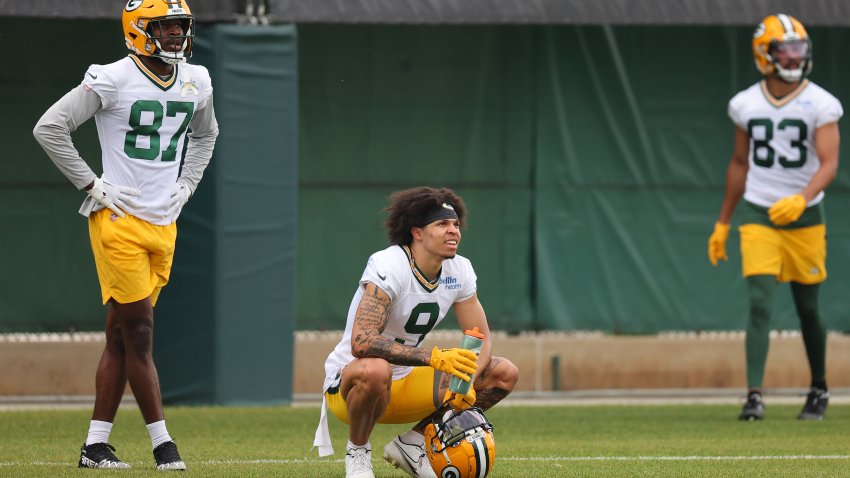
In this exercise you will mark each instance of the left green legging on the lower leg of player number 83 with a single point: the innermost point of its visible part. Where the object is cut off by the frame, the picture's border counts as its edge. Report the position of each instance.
(757, 341)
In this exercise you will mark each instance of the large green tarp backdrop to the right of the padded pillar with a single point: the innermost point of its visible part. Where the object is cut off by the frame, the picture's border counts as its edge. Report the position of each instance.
(592, 159)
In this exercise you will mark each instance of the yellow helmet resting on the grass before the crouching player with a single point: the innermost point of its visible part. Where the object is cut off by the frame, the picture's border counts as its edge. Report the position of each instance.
(461, 445)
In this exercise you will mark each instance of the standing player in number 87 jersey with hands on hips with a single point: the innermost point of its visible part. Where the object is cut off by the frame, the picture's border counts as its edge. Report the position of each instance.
(143, 105)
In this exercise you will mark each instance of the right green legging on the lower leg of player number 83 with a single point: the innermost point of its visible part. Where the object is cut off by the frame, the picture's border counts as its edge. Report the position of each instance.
(814, 333)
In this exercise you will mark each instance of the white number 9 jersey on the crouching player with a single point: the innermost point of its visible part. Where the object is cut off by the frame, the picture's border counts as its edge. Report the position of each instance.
(416, 307)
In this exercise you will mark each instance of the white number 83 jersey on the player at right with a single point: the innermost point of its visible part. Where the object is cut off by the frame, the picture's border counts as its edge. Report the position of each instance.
(782, 158)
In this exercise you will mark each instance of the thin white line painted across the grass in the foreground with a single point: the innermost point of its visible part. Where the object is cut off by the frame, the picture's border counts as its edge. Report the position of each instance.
(507, 458)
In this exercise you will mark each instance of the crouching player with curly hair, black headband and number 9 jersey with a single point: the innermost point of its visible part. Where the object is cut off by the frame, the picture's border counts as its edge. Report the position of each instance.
(378, 372)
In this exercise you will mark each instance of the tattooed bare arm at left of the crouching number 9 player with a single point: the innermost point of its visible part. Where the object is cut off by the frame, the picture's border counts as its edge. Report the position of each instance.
(370, 321)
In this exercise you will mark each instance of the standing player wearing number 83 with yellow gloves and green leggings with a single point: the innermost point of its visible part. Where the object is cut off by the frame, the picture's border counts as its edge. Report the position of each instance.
(786, 154)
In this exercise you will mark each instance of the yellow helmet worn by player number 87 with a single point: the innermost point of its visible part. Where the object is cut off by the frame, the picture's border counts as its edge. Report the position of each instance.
(142, 20)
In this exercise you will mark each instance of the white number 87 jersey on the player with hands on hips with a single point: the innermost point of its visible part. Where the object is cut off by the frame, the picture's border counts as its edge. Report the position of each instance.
(142, 126)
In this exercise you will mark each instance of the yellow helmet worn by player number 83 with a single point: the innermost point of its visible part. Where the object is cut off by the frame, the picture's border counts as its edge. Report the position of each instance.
(782, 33)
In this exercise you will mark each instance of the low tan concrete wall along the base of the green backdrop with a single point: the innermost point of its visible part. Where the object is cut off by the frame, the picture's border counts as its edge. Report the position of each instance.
(65, 366)
